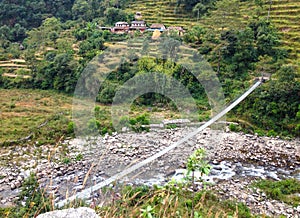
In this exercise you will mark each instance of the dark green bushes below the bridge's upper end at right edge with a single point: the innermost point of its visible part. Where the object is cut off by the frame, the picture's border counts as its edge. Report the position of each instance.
(275, 105)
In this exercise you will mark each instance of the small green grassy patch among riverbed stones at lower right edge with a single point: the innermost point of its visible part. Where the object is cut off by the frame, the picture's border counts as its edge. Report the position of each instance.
(285, 190)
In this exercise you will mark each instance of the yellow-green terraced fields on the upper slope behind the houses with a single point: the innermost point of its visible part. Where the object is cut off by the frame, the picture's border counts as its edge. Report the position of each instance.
(284, 14)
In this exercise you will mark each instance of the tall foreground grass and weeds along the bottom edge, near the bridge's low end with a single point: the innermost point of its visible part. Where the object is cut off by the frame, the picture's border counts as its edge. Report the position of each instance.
(128, 201)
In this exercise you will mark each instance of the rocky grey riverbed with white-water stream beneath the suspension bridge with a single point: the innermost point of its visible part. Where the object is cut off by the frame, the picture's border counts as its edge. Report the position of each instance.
(237, 159)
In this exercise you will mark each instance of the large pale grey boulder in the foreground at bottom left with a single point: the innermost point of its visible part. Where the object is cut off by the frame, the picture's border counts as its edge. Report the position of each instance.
(82, 212)
